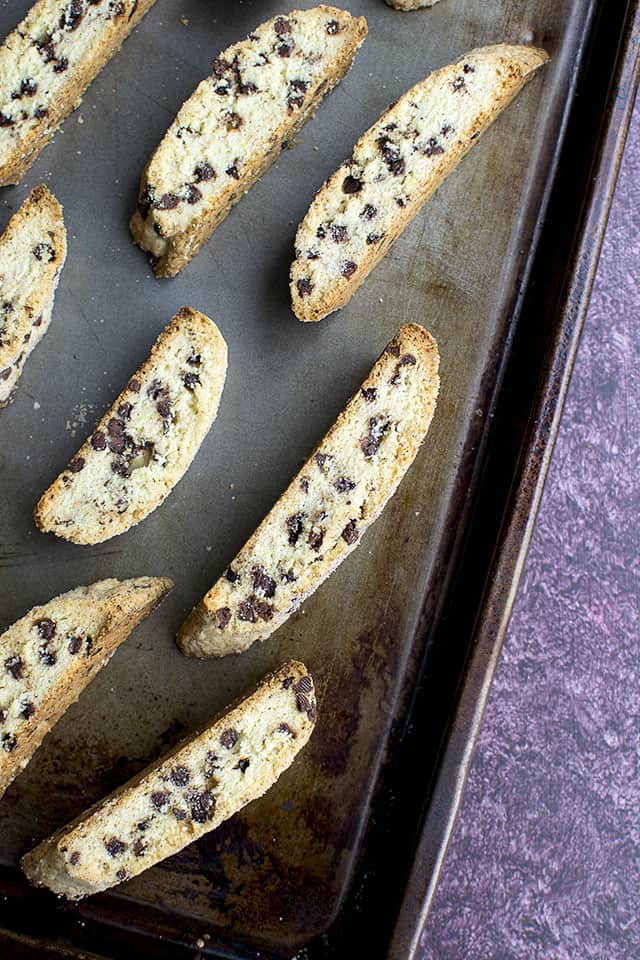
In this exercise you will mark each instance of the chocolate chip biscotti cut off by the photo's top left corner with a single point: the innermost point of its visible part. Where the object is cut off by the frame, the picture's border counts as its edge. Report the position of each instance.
(47, 63)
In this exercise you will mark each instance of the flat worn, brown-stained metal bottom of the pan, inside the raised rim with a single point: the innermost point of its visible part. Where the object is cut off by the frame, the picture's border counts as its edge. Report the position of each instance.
(276, 875)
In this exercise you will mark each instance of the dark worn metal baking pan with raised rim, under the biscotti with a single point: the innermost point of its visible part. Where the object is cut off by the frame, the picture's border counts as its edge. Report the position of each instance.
(341, 857)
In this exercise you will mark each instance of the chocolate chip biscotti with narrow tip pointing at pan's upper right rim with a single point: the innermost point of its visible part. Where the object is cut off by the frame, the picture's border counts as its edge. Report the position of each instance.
(395, 167)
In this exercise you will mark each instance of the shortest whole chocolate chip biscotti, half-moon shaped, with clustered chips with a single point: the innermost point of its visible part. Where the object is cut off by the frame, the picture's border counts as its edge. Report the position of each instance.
(146, 441)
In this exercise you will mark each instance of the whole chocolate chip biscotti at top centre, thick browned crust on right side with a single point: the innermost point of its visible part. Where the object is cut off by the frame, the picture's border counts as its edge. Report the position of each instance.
(235, 124)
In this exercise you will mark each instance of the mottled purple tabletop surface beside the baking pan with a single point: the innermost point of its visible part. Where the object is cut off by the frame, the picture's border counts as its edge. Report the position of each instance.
(545, 857)
